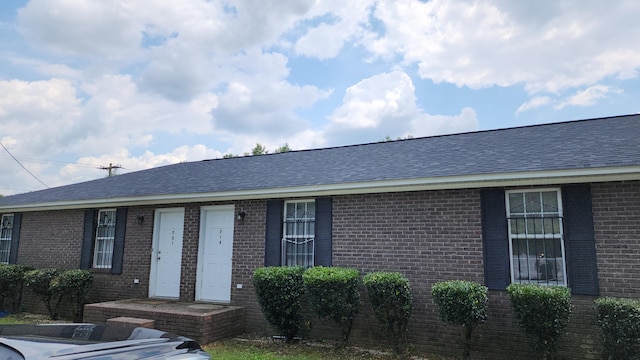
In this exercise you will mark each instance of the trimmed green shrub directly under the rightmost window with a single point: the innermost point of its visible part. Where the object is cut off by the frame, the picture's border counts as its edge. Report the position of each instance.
(541, 311)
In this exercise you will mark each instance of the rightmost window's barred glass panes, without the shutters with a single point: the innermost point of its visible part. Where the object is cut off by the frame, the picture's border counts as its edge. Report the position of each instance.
(535, 237)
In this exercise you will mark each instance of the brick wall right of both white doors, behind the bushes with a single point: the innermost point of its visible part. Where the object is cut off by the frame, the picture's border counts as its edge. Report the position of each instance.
(436, 235)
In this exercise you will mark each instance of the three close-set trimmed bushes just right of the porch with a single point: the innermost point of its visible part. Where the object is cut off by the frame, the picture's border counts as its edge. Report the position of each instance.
(333, 293)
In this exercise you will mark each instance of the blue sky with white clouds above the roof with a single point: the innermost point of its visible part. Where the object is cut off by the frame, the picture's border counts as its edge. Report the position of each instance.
(142, 83)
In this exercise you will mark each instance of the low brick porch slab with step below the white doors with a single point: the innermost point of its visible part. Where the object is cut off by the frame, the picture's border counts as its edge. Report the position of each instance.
(202, 322)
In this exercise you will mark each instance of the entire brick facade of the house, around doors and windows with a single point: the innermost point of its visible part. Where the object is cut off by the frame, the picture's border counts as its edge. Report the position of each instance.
(427, 235)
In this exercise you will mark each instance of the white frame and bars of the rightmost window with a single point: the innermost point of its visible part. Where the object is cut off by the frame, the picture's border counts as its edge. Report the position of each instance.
(530, 266)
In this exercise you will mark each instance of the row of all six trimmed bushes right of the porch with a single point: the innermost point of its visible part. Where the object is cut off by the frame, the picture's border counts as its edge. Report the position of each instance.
(541, 311)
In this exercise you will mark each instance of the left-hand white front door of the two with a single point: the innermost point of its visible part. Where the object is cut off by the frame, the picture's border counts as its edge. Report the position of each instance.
(166, 257)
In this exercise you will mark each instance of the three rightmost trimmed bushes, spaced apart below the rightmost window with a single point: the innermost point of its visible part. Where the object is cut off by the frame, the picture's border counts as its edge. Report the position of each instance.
(542, 312)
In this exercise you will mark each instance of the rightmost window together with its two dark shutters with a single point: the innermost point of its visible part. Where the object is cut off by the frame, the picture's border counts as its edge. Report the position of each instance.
(569, 220)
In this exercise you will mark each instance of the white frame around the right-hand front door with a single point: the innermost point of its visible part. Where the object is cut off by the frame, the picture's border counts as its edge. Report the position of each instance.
(201, 251)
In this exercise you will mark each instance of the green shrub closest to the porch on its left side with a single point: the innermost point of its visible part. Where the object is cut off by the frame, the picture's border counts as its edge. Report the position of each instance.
(74, 286)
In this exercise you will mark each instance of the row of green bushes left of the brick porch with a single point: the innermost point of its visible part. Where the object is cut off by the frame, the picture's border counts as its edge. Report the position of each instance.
(51, 286)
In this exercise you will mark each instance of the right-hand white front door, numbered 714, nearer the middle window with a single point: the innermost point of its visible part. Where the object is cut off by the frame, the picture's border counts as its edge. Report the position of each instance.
(214, 254)
